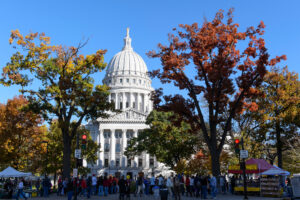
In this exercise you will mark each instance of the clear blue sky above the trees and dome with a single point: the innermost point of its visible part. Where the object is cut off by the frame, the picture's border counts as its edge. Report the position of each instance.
(104, 23)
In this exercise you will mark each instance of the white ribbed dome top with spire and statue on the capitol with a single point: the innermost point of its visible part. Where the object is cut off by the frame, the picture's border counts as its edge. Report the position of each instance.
(127, 61)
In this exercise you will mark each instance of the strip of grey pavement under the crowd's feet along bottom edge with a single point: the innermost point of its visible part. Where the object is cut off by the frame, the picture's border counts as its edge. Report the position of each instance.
(116, 197)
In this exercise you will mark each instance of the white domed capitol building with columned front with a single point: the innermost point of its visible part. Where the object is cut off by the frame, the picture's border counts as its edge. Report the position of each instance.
(130, 88)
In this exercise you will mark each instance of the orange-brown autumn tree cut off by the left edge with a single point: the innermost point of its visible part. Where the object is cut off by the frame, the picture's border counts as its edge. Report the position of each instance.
(21, 135)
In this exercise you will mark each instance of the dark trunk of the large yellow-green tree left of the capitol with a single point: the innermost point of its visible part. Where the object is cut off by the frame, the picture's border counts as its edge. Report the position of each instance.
(66, 155)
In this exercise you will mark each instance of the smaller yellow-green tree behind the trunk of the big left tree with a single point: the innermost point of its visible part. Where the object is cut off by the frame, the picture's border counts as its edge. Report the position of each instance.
(55, 146)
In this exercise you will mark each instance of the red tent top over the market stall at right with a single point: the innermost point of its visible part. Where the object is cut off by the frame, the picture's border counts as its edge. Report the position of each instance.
(260, 166)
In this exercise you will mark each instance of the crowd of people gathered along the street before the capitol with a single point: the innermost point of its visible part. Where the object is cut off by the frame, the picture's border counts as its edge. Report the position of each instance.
(172, 187)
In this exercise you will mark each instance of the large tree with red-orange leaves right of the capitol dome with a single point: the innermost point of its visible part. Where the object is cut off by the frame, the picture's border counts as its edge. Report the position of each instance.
(205, 62)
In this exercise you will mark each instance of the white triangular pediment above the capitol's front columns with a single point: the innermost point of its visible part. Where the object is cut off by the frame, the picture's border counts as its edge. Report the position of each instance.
(129, 115)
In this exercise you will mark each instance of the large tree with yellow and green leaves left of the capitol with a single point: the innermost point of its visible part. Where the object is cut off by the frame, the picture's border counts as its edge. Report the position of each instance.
(66, 88)
